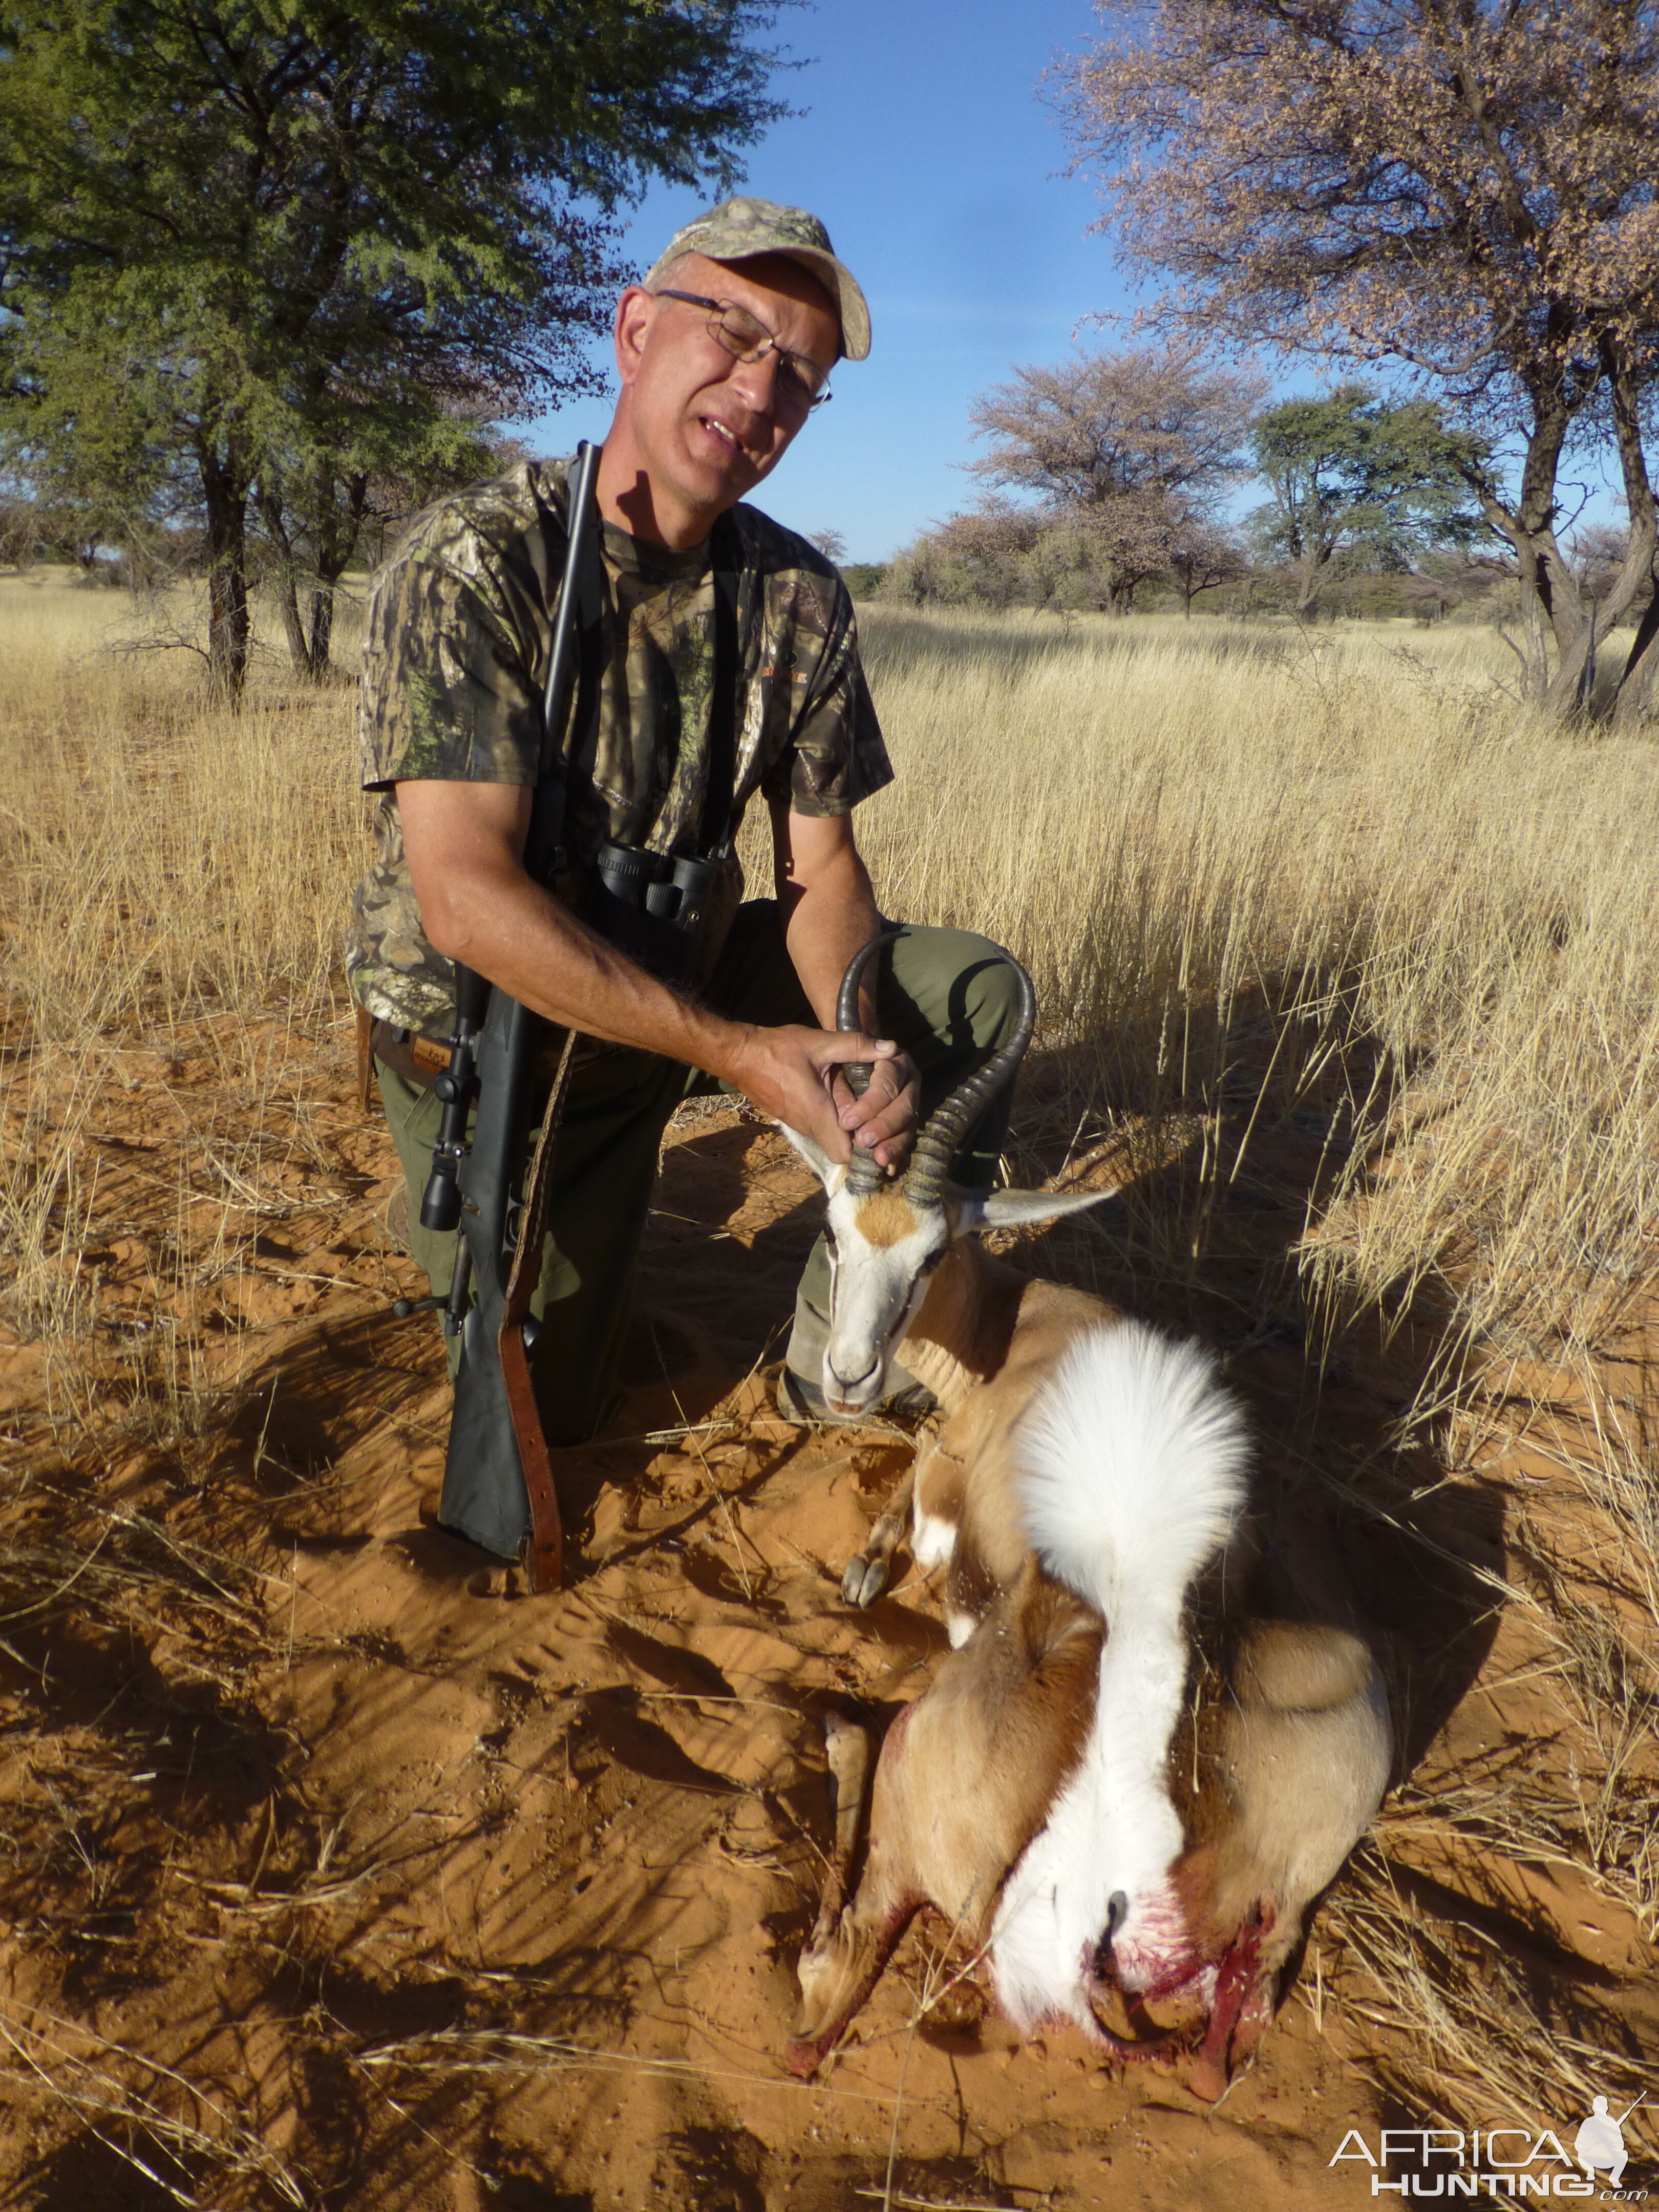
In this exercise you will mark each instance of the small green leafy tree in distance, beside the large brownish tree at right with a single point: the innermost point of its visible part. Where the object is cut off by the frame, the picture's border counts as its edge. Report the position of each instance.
(1359, 483)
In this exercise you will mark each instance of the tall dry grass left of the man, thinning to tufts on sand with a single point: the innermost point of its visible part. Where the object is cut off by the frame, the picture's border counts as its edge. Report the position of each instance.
(174, 888)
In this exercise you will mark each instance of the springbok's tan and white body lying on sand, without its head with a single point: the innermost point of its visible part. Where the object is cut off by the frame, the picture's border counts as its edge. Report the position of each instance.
(1131, 1777)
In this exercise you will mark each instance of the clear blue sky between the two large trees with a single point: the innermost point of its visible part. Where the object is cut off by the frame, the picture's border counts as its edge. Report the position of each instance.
(935, 163)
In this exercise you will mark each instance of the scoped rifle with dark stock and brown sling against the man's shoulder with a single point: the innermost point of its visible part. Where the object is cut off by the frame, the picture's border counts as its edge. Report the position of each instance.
(499, 1479)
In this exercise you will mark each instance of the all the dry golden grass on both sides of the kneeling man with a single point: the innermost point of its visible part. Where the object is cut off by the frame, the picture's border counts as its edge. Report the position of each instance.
(1335, 895)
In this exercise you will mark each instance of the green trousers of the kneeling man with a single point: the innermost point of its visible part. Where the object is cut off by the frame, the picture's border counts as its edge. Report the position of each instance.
(946, 997)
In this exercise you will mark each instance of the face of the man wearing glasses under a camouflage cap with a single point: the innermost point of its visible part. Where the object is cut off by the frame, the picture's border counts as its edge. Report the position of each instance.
(705, 428)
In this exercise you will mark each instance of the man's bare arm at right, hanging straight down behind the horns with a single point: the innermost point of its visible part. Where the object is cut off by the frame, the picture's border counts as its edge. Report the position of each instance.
(828, 912)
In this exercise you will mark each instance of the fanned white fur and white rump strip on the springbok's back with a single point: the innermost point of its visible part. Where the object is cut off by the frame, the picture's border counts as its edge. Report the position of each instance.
(1131, 1474)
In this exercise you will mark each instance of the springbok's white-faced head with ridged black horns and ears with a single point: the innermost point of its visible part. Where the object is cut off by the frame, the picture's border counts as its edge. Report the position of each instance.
(888, 1235)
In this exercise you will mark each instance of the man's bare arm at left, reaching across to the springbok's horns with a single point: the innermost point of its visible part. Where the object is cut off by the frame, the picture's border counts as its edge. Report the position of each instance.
(466, 846)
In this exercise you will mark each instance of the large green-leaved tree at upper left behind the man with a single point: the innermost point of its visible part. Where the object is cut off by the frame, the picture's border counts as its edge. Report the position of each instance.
(269, 244)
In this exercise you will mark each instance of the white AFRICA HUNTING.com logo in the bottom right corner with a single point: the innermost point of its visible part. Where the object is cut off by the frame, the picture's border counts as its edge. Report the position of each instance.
(1501, 2162)
